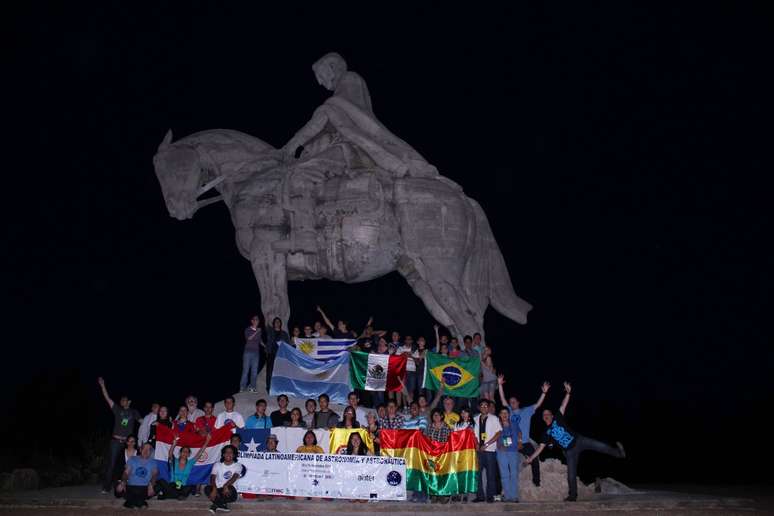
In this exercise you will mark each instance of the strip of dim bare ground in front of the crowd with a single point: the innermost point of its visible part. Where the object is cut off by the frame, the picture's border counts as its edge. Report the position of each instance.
(86, 501)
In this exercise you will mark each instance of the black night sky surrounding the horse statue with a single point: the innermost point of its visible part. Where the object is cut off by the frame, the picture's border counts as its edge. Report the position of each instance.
(621, 153)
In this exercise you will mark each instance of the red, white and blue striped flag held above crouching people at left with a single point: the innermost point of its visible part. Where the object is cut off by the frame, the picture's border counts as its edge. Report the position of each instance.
(200, 474)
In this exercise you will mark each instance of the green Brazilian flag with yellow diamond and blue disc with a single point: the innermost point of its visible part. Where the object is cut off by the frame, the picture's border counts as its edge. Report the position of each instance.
(460, 374)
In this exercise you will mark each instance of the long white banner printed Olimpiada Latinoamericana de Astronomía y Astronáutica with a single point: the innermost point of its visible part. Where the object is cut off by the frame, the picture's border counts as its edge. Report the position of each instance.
(361, 477)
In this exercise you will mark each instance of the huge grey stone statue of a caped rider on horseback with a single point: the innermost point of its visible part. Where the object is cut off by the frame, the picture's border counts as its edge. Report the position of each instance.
(369, 215)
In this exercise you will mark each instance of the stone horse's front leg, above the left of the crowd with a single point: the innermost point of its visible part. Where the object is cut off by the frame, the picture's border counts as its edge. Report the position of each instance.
(270, 270)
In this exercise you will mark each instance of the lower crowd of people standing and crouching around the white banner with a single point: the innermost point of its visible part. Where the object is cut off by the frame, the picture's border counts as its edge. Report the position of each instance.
(503, 436)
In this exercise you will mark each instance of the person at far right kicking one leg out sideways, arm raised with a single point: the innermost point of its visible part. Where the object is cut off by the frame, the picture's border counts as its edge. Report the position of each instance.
(571, 443)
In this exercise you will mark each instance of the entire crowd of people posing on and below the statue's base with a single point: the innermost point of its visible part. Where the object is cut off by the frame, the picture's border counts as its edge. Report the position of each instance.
(504, 439)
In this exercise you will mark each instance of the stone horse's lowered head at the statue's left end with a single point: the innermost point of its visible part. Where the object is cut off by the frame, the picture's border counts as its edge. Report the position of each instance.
(179, 170)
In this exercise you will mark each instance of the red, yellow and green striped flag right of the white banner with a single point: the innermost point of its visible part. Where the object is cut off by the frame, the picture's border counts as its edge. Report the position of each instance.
(438, 469)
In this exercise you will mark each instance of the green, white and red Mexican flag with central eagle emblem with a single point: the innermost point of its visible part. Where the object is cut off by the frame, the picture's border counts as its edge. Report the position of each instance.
(372, 372)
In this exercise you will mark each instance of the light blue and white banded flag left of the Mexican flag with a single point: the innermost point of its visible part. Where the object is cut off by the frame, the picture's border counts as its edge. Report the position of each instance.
(300, 376)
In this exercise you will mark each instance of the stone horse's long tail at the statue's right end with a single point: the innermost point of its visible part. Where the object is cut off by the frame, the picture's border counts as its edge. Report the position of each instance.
(486, 276)
